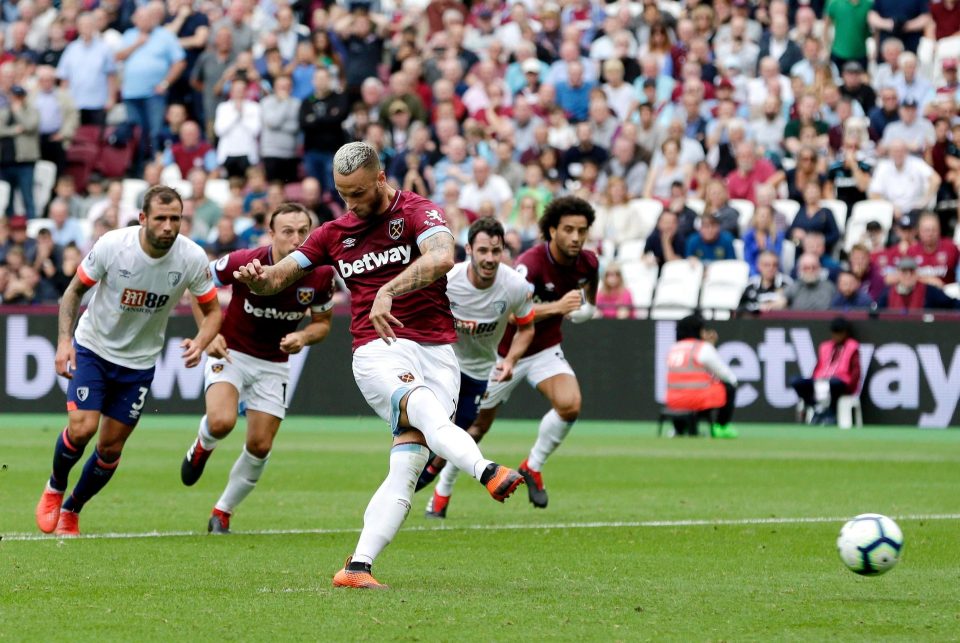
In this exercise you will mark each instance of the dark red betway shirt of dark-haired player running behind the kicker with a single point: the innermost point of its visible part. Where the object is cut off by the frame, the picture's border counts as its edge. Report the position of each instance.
(255, 324)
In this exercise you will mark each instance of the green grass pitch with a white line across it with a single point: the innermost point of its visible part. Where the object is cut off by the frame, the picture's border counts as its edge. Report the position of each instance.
(644, 539)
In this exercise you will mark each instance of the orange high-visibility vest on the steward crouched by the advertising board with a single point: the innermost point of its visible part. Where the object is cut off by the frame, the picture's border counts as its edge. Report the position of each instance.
(690, 386)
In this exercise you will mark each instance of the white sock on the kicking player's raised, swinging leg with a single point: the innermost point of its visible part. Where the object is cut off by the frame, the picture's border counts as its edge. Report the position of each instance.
(444, 437)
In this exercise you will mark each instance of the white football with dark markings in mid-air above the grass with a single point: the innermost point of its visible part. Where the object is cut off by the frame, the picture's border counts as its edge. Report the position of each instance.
(870, 544)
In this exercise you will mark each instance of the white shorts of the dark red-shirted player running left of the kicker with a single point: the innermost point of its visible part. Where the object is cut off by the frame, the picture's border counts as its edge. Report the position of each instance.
(262, 384)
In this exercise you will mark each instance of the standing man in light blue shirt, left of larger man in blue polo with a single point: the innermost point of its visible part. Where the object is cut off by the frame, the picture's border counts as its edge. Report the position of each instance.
(88, 71)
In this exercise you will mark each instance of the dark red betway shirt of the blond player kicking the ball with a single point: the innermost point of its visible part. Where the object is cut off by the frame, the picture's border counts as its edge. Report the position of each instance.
(367, 253)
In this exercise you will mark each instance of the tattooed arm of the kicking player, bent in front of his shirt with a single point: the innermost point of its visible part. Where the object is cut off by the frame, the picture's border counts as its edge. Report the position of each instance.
(436, 260)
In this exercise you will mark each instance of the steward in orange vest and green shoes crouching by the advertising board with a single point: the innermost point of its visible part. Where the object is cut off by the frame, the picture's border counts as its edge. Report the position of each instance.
(697, 379)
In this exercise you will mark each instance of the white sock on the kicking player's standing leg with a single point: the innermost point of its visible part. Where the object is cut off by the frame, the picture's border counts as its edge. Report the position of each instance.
(390, 505)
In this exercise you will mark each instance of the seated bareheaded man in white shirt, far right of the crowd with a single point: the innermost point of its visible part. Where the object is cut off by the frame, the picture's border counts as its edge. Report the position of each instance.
(904, 180)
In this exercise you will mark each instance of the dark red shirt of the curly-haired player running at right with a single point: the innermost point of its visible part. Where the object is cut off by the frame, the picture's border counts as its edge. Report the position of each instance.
(551, 281)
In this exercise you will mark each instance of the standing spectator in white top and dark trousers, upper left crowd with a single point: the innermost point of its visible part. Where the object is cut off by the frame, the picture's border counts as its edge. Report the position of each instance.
(237, 124)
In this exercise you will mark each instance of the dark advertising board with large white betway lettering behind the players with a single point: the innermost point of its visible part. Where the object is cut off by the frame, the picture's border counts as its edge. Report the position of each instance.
(911, 369)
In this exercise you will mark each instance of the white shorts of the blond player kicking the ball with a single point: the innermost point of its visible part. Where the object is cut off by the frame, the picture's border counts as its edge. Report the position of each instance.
(386, 372)
